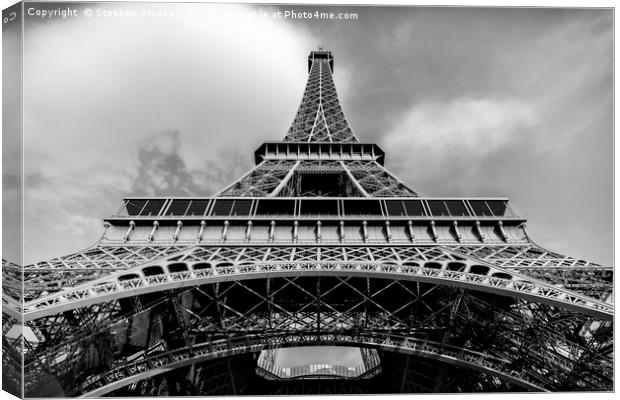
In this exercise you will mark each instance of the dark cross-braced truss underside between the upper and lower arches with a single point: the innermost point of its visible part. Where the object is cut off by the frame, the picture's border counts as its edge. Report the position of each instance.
(551, 348)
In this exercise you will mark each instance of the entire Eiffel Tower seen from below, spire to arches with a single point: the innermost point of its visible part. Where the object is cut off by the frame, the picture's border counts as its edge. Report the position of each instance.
(317, 245)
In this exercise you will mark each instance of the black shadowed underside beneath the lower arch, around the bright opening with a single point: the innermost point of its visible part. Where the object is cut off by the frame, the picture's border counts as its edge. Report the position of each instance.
(236, 375)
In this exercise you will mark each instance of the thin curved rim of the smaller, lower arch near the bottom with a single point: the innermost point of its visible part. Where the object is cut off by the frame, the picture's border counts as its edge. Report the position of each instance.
(155, 364)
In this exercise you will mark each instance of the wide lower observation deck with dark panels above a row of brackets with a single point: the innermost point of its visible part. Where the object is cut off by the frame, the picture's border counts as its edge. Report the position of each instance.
(315, 220)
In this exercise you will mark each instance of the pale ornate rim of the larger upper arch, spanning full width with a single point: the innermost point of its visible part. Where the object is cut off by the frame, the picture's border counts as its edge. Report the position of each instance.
(454, 273)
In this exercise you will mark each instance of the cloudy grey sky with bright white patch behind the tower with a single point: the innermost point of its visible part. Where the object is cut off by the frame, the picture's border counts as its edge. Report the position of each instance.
(475, 102)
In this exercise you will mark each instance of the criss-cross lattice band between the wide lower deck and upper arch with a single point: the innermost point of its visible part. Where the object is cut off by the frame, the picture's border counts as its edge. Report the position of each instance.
(51, 276)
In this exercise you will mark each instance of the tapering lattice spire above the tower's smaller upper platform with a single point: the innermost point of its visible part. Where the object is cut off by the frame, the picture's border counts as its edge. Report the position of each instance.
(320, 117)
